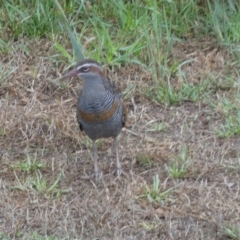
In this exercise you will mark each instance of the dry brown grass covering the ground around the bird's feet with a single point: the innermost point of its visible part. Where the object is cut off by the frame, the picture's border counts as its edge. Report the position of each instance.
(38, 119)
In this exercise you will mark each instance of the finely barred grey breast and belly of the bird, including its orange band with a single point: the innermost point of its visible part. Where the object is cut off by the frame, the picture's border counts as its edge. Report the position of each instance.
(100, 114)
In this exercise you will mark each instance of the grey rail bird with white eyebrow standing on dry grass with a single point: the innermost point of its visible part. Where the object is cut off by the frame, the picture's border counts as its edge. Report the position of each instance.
(100, 109)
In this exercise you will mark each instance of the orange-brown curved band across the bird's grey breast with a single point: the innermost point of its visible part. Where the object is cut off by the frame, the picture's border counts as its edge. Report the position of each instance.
(99, 117)
